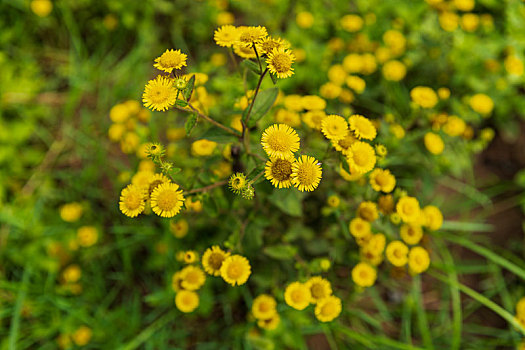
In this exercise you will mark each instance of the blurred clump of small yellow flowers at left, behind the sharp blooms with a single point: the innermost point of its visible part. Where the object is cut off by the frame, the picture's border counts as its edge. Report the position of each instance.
(128, 122)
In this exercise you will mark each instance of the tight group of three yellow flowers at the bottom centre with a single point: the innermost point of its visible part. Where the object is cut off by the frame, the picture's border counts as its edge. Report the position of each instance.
(317, 291)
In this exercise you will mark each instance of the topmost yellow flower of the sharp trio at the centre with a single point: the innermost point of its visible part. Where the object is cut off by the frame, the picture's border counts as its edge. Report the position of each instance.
(280, 141)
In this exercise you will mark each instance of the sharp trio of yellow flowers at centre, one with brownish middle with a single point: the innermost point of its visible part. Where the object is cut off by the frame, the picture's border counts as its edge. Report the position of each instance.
(280, 142)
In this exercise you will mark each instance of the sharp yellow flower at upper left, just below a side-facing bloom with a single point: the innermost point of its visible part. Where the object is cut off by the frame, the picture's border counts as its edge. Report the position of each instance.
(159, 94)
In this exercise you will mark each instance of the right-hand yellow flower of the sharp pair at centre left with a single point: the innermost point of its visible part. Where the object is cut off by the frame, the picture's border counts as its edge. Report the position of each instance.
(167, 200)
